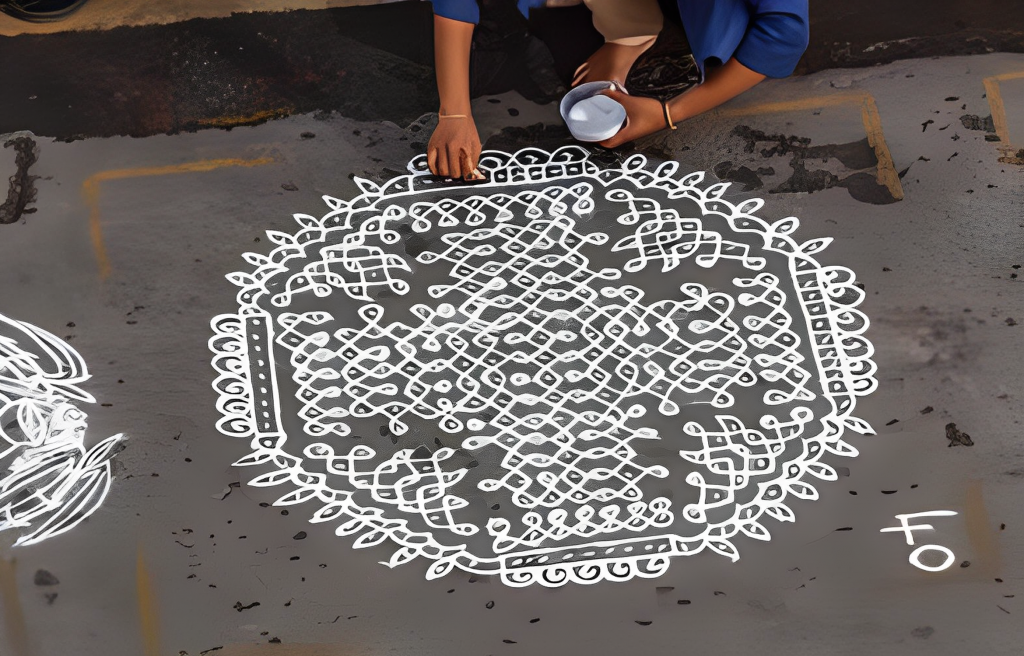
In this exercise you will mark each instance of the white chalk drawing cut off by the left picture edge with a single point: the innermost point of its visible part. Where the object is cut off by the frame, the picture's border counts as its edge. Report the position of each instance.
(50, 482)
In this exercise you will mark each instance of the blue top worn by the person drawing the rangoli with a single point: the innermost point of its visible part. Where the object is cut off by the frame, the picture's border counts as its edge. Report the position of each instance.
(766, 36)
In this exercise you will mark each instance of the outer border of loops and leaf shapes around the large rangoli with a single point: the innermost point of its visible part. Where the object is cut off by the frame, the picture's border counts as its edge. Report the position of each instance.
(842, 357)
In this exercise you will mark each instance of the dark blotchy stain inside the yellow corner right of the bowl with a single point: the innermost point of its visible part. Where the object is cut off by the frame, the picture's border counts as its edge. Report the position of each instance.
(858, 158)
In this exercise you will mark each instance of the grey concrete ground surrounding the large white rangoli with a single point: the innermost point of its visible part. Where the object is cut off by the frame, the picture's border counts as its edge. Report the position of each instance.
(912, 167)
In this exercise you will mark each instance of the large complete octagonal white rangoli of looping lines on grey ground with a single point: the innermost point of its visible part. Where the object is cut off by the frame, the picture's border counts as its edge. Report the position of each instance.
(525, 378)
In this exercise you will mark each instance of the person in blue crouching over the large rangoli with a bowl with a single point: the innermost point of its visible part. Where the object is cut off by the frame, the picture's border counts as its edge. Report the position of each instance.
(736, 45)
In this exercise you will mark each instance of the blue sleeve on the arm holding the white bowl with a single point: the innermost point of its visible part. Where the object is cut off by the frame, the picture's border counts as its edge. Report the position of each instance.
(777, 37)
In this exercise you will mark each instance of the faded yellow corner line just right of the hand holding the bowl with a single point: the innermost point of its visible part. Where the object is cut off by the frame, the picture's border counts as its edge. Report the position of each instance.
(887, 174)
